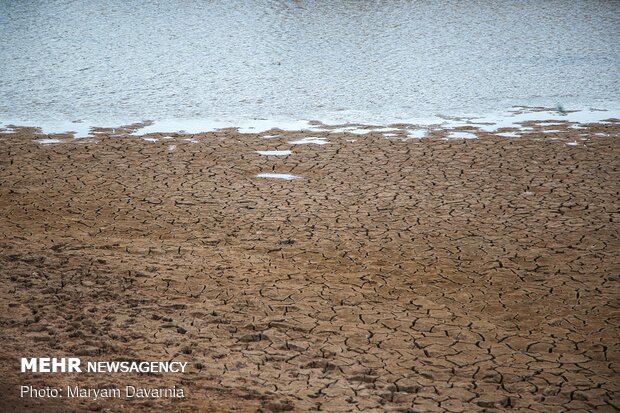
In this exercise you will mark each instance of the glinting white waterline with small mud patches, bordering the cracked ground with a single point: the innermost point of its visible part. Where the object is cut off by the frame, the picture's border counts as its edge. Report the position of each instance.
(517, 119)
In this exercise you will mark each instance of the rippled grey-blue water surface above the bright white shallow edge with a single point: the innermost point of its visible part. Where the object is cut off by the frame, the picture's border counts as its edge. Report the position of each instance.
(109, 62)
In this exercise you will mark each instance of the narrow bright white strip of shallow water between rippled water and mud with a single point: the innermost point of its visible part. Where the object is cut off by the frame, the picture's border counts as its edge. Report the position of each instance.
(515, 119)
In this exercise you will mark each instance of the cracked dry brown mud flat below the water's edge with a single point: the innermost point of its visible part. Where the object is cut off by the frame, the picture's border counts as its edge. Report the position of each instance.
(419, 275)
